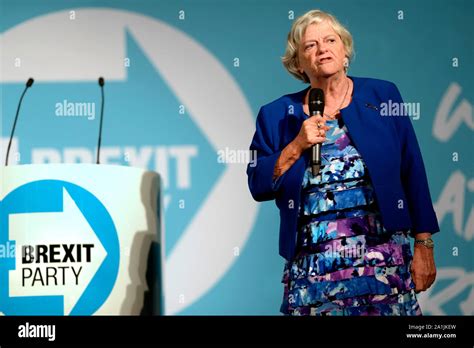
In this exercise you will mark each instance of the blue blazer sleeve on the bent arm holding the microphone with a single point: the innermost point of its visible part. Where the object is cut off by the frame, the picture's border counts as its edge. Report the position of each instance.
(264, 145)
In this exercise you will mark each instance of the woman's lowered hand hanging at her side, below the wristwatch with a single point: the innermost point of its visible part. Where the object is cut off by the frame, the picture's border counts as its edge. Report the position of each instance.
(423, 269)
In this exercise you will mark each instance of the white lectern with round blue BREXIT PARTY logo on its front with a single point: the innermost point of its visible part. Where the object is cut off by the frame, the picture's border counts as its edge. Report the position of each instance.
(80, 239)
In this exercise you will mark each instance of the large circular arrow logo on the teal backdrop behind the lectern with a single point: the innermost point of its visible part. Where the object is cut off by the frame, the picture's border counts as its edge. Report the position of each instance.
(171, 106)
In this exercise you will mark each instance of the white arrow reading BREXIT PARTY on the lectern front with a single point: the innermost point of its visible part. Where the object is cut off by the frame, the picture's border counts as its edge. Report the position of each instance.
(78, 246)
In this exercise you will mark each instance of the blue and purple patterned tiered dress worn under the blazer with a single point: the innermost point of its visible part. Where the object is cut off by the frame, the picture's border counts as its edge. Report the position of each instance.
(346, 263)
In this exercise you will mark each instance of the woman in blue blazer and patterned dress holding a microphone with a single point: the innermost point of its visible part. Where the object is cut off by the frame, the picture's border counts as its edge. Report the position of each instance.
(344, 232)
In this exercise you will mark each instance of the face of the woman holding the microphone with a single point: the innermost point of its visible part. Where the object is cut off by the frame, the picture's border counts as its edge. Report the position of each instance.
(321, 52)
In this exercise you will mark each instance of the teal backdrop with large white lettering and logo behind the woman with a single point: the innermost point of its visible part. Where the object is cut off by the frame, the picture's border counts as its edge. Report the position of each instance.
(176, 118)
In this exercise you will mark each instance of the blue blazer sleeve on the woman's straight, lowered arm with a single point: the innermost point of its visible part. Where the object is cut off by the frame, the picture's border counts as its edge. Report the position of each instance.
(413, 174)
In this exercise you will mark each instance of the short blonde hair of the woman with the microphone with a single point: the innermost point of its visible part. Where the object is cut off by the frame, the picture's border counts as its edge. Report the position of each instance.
(290, 59)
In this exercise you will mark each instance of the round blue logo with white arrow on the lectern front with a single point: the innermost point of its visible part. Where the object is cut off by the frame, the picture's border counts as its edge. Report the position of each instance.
(61, 250)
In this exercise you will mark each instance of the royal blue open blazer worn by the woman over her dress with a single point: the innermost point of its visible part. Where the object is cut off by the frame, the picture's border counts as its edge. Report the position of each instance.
(387, 144)
